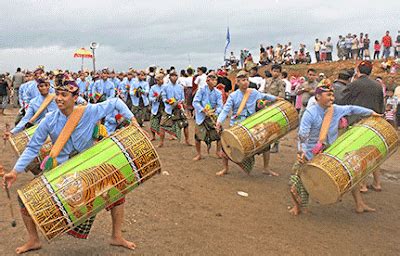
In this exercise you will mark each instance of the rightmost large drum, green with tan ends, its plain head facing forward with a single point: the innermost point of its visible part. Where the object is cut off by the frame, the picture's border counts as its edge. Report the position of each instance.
(354, 155)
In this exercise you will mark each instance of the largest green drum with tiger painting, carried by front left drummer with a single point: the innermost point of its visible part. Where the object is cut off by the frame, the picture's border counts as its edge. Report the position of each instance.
(66, 196)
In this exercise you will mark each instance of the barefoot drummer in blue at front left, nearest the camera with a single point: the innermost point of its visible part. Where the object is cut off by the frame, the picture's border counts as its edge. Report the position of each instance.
(78, 140)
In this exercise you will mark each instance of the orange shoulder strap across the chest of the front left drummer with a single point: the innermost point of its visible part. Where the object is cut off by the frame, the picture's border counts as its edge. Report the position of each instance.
(67, 131)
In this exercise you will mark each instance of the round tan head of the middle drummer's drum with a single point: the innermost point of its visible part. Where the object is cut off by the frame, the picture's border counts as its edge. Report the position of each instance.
(232, 146)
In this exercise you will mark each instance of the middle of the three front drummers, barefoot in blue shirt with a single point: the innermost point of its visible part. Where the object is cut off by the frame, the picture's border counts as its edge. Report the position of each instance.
(248, 98)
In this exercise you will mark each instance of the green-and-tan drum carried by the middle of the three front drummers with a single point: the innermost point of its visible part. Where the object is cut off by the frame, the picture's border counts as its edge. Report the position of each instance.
(259, 130)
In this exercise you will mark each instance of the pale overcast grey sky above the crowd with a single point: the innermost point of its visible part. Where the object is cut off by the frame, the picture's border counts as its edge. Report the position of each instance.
(134, 33)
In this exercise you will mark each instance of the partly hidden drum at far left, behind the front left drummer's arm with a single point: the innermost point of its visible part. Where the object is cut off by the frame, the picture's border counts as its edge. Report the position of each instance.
(20, 140)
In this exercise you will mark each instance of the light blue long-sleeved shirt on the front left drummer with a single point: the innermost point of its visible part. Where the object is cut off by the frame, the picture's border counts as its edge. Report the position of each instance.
(80, 139)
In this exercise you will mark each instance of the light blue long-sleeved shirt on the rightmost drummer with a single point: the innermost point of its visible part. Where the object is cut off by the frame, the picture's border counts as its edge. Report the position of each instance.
(311, 122)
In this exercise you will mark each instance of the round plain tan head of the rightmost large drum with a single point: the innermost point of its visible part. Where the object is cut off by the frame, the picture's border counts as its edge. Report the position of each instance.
(319, 185)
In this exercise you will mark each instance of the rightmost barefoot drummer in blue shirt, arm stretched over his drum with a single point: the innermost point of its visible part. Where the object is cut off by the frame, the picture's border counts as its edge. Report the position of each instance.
(310, 144)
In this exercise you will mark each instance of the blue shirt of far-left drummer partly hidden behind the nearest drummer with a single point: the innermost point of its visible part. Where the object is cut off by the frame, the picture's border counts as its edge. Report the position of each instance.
(32, 109)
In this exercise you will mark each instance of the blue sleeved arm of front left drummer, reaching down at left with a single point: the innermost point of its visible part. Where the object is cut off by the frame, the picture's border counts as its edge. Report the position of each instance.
(32, 149)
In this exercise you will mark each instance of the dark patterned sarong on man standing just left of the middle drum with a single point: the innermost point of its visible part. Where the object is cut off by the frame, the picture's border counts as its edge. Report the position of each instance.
(206, 131)
